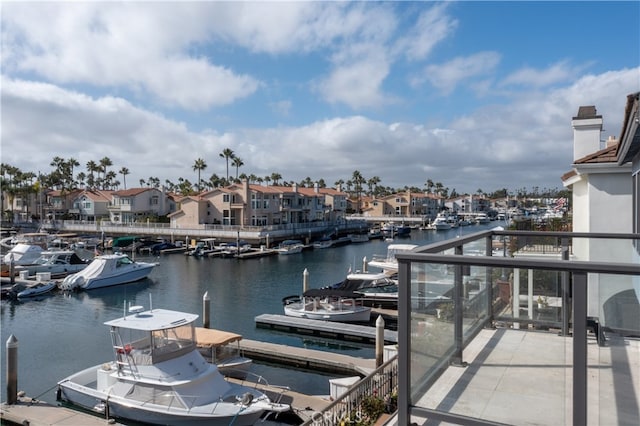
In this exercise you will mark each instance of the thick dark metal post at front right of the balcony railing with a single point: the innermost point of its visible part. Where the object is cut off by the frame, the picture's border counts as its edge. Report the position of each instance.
(580, 348)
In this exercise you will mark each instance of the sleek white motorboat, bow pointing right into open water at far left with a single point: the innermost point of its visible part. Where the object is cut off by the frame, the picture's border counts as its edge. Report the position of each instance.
(107, 270)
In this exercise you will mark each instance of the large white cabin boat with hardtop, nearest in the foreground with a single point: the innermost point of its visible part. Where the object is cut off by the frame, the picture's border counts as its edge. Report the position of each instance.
(158, 376)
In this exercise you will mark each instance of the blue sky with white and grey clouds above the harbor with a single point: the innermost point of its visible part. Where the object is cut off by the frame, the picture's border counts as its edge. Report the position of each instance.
(474, 94)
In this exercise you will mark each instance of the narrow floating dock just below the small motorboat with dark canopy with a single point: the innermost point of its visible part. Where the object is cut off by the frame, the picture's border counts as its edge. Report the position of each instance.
(334, 330)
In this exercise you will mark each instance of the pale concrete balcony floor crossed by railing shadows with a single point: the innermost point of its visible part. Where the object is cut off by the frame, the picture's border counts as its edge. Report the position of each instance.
(524, 377)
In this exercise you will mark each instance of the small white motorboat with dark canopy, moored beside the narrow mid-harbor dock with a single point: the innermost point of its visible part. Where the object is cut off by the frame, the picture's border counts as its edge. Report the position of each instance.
(327, 304)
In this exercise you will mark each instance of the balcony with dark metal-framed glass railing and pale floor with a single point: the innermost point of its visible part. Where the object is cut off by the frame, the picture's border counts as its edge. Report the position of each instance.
(516, 327)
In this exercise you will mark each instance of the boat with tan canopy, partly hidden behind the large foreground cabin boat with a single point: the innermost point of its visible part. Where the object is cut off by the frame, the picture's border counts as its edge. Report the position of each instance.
(222, 348)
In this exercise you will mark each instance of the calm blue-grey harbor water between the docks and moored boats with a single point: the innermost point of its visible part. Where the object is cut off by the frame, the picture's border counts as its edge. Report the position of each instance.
(62, 333)
